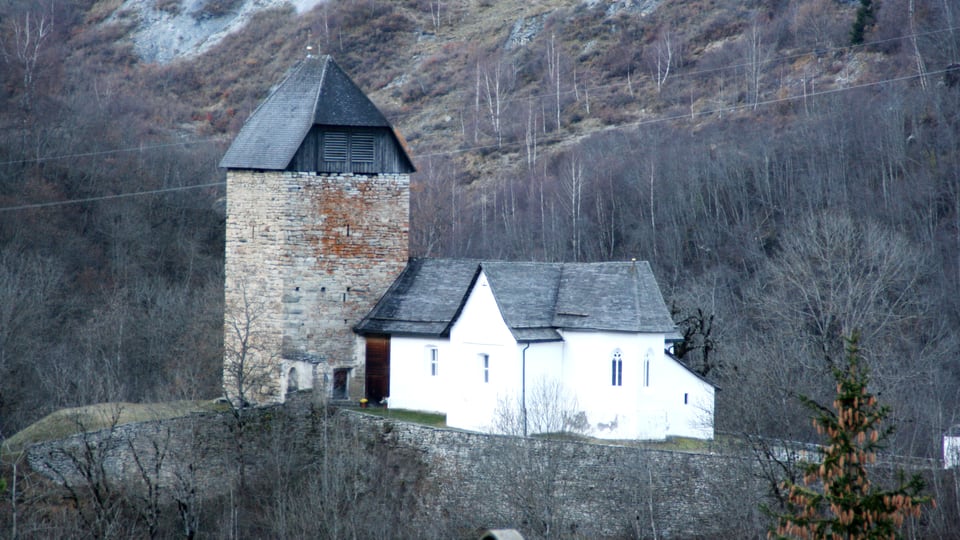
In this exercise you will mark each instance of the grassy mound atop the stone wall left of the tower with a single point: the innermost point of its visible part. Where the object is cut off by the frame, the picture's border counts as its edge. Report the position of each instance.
(67, 422)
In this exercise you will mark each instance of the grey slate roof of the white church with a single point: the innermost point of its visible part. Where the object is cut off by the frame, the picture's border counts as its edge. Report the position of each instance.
(535, 299)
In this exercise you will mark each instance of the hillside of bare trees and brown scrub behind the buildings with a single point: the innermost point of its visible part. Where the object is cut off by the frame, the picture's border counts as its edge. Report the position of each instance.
(789, 169)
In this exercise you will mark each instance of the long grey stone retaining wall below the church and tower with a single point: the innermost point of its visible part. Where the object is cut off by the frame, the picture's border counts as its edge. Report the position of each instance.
(591, 490)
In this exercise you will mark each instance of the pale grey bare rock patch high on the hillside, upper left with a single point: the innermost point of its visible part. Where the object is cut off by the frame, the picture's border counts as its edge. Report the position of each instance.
(165, 30)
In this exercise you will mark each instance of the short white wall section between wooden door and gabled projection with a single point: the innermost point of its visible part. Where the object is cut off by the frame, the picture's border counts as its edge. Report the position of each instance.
(411, 384)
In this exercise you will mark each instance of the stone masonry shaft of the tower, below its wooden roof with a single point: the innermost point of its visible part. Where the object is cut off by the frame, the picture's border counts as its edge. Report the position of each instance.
(314, 252)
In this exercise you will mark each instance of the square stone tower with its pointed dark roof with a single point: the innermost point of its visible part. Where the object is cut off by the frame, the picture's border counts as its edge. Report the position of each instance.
(318, 193)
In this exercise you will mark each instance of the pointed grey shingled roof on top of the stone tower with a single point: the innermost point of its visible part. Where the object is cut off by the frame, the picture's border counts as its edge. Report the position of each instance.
(316, 91)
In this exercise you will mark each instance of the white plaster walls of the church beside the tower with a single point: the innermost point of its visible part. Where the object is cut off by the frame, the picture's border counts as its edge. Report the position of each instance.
(581, 365)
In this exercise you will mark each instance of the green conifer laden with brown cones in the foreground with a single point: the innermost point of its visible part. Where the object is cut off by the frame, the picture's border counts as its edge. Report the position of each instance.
(838, 499)
